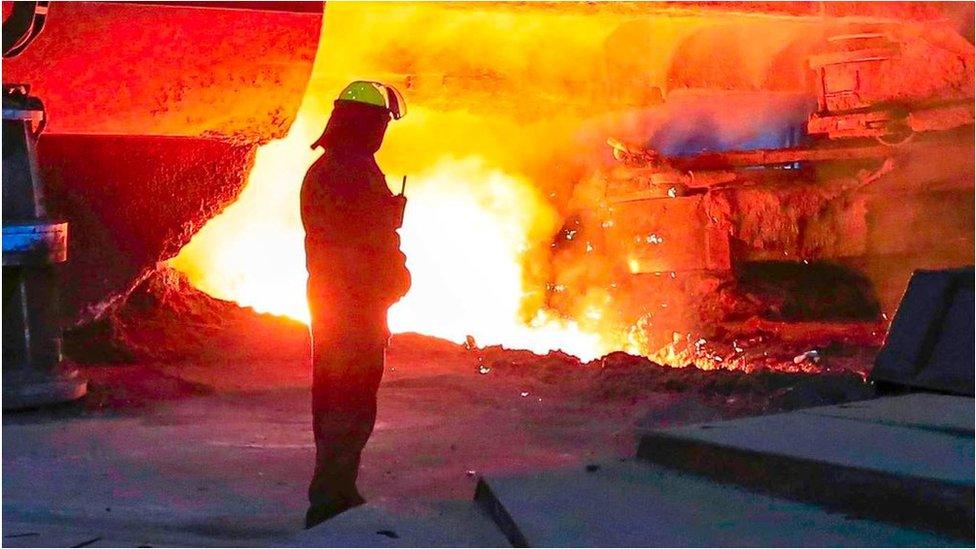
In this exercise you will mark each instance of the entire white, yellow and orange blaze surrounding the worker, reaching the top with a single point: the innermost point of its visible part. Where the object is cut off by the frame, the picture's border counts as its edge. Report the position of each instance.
(510, 106)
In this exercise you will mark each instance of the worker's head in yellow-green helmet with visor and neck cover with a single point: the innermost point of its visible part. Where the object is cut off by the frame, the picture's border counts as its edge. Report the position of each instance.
(360, 117)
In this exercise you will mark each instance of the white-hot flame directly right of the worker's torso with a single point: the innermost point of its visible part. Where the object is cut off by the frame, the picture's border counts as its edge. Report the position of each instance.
(465, 233)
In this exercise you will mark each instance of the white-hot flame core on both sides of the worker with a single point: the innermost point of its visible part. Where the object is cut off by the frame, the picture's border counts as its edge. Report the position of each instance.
(466, 233)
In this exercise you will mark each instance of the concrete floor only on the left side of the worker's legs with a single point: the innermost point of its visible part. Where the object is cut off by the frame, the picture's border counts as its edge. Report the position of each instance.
(225, 467)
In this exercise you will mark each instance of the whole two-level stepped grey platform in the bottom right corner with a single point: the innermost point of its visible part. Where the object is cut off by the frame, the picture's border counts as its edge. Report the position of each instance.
(888, 472)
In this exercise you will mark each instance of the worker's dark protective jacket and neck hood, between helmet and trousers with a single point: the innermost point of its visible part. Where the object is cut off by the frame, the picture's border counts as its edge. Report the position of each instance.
(350, 215)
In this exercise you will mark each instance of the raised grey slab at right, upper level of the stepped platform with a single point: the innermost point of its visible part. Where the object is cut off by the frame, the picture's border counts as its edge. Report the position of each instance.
(907, 460)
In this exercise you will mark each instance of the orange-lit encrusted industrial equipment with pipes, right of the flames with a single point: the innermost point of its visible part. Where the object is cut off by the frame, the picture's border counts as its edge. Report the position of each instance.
(869, 184)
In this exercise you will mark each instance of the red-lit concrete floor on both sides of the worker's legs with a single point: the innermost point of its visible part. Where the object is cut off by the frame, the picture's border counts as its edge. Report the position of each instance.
(230, 467)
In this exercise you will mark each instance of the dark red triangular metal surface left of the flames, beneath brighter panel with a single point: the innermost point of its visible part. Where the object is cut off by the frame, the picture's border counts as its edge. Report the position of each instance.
(124, 220)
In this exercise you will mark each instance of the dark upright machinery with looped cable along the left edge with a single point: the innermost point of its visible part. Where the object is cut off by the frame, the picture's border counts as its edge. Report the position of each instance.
(33, 244)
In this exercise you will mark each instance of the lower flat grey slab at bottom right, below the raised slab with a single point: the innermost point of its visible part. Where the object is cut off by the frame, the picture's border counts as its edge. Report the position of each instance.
(636, 504)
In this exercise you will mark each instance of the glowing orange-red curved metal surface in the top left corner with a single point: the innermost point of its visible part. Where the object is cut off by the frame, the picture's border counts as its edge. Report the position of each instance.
(131, 69)
